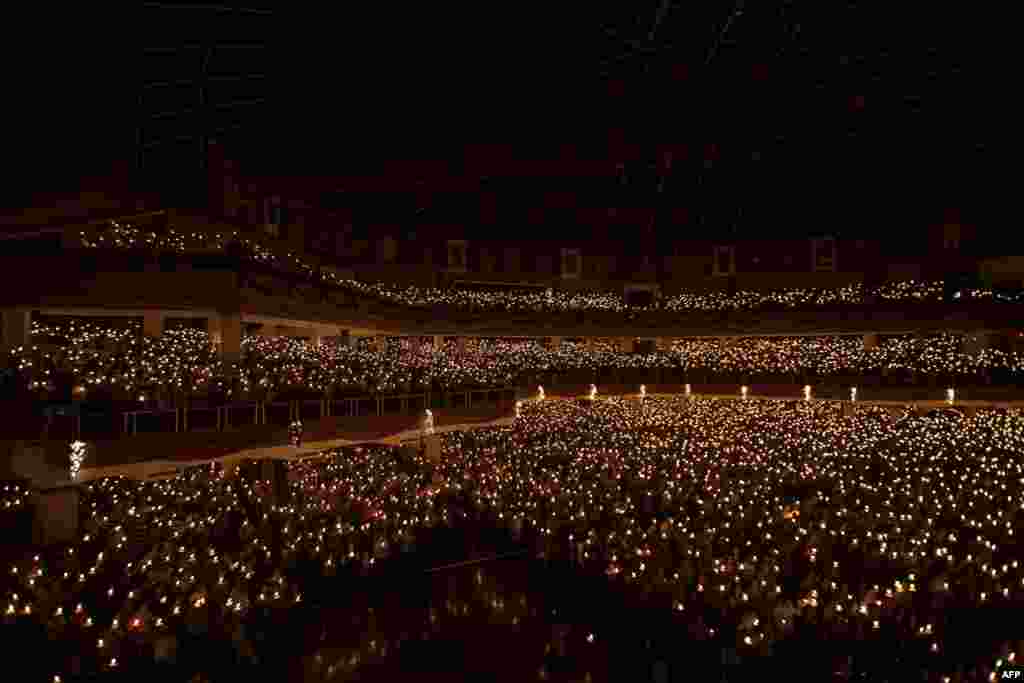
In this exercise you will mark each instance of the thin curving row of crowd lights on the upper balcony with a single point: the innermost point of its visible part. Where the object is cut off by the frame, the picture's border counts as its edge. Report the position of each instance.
(118, 236)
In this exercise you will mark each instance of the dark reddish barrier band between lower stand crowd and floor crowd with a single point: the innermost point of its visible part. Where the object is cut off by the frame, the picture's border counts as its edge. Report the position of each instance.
(88, 421)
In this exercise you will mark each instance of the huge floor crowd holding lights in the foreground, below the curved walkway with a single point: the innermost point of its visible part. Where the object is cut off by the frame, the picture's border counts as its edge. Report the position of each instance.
(887, 542)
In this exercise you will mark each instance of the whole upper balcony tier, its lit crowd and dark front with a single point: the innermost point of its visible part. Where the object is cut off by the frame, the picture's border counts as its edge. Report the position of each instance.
(116, 267)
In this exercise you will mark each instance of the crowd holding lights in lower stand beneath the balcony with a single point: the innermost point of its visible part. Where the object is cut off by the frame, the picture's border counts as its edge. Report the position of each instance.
(94, 359)
